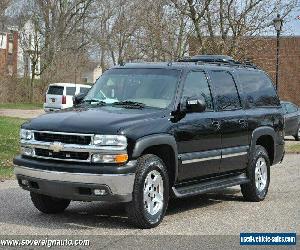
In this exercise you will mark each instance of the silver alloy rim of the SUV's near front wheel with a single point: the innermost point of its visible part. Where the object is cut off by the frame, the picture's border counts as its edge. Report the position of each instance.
(153, 192)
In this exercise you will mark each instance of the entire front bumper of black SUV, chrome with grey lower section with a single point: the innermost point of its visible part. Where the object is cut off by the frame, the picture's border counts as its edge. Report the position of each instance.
(77, 186)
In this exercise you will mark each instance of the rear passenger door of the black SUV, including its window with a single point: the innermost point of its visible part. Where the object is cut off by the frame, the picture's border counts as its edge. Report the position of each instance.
(232, 119)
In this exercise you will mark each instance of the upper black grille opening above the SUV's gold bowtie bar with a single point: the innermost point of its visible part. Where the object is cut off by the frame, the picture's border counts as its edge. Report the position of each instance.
(64, 138)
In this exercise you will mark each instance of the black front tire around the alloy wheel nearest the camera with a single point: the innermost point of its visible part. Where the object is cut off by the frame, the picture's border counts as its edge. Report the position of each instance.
(137, 209)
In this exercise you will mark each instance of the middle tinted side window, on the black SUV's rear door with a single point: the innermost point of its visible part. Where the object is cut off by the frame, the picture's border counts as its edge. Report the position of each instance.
(227, 97)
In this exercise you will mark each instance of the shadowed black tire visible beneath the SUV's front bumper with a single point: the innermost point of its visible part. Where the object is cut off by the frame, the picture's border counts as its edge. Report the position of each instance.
(47, 204)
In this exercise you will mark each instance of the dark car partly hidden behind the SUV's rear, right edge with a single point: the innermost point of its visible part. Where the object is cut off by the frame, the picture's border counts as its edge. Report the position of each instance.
(292, 119)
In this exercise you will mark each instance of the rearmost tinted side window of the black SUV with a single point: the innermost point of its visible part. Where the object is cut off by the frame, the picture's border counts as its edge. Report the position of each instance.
(258, 89)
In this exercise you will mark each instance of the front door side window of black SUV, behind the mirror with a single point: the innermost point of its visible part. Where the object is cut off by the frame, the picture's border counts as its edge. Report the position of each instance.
(196, 85)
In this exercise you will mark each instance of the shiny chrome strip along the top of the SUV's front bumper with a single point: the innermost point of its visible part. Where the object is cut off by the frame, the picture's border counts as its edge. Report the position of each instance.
(119, 184)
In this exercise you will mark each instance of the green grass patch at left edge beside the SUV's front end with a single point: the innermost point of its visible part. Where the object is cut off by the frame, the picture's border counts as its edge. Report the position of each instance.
(9, 144)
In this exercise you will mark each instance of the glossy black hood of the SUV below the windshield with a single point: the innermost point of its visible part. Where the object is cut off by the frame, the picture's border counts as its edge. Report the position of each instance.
(97, 120)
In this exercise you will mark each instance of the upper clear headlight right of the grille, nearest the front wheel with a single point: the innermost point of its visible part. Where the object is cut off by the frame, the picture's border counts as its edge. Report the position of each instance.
(114, 141)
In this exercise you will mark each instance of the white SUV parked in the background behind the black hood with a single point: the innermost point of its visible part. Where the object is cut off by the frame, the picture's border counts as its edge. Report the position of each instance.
(60, 95)
